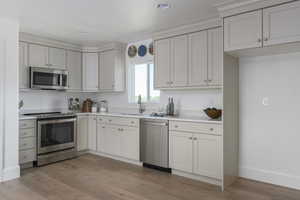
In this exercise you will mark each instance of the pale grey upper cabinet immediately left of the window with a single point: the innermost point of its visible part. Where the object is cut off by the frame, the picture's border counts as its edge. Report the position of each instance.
(111, 71)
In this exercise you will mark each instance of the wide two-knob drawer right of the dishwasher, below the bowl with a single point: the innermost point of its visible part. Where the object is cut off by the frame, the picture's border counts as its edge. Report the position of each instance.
(215, 129)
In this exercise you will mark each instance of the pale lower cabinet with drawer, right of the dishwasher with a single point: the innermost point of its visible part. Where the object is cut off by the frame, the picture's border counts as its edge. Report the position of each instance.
(198, 153)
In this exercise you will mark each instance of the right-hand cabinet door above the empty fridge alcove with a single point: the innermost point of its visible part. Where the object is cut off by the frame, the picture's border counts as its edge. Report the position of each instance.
(282, 24)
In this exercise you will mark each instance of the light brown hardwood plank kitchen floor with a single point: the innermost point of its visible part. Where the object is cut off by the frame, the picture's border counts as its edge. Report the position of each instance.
(91, 177)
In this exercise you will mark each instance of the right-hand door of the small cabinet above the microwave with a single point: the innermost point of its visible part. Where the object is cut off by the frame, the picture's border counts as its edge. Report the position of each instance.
(57, 58)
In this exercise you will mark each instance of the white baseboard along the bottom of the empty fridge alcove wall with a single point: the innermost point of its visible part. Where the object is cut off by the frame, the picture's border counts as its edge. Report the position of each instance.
(275, 178)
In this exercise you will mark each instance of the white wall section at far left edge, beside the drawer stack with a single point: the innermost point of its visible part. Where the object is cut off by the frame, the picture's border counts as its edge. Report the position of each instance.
(9, 126)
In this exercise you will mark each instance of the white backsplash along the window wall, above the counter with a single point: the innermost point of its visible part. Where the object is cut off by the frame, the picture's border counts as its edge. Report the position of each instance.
(187, 102)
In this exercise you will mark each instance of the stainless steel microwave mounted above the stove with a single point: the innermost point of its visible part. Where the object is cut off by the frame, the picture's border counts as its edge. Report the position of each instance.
(48, 79)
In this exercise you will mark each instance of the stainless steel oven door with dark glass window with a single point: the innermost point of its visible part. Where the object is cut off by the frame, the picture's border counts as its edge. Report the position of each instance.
(56, 135)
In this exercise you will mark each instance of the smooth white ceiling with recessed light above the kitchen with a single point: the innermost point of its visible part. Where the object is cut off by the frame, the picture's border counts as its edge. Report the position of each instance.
(93, 22)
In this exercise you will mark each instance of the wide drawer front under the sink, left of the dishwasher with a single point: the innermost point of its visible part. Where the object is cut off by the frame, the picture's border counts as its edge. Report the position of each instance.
(119, 121)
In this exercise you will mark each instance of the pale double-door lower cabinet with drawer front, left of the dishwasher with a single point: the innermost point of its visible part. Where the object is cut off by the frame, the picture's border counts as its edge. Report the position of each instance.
(118, 140)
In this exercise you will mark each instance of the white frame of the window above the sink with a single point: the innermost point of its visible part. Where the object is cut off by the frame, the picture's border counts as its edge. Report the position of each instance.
(131, 82)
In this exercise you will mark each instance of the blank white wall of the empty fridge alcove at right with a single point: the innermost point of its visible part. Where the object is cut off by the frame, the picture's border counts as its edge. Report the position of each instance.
(269, 135)
